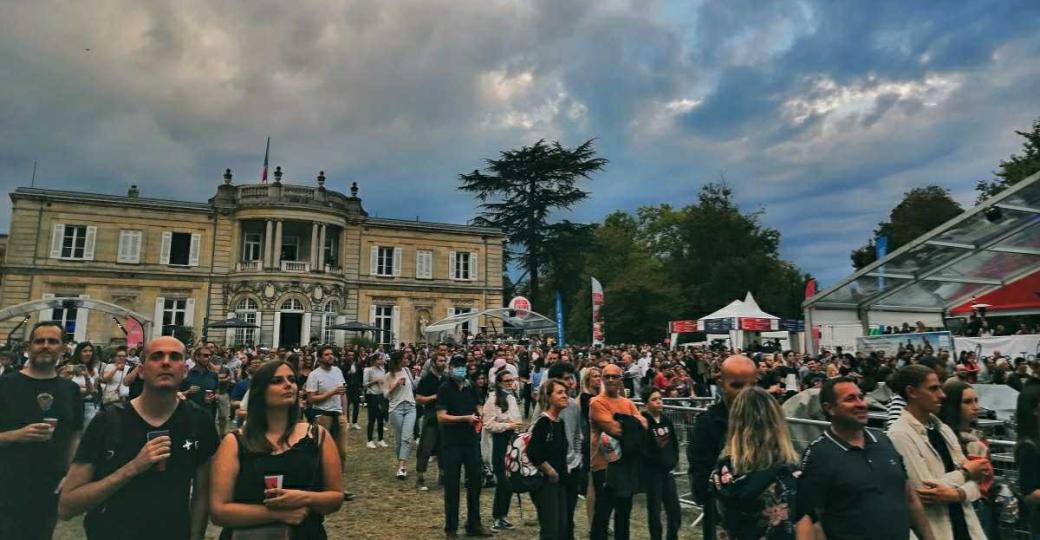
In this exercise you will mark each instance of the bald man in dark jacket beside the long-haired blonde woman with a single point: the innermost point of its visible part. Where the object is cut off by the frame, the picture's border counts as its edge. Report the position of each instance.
(737, 374)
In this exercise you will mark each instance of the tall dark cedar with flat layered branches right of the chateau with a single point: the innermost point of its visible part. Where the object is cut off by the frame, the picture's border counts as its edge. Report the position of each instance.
(519, 191)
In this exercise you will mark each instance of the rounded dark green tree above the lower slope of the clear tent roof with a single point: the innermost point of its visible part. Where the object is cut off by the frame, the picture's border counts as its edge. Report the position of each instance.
(921, 211)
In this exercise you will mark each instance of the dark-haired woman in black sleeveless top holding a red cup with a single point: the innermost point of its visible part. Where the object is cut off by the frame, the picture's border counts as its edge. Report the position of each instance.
(277, 475)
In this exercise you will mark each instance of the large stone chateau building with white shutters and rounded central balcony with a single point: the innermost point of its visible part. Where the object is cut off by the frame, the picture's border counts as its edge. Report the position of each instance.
(294, 260)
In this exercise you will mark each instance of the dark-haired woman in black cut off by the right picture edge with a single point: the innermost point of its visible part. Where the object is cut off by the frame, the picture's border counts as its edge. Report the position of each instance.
(1028, 453)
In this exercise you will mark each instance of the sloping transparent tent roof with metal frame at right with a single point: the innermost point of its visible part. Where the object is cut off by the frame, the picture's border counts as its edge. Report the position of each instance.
(987, 247)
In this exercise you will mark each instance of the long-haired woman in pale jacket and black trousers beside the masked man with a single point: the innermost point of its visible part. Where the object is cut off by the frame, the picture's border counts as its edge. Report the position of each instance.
(502, 420)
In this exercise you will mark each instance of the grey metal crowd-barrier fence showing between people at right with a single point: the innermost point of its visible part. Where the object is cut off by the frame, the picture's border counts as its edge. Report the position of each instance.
(804, 432)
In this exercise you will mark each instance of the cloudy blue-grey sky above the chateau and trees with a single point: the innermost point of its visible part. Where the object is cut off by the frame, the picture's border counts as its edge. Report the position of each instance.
(822, 113)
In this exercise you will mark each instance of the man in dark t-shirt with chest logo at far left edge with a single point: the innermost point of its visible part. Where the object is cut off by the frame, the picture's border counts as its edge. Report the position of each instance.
(41, 421)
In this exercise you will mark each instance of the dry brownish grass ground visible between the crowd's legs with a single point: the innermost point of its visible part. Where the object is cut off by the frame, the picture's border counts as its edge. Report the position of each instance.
(392, 510)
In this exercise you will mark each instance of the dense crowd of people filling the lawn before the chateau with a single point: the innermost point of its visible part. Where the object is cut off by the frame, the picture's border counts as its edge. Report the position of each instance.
(254, 441)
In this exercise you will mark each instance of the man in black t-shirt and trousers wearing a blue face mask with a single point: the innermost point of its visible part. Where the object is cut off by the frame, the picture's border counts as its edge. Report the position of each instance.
(458, 415)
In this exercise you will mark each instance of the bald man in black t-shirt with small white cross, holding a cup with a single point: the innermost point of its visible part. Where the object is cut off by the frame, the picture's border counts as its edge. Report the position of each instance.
(143, 471)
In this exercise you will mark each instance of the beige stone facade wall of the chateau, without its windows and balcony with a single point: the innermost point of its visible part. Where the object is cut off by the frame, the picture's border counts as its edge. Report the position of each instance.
(30, 272)
